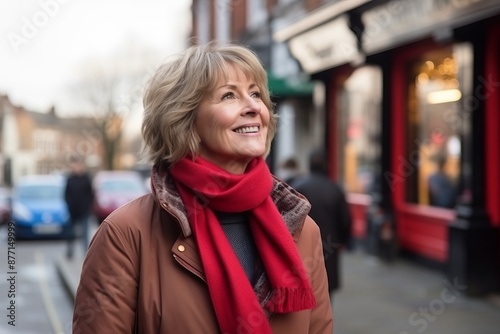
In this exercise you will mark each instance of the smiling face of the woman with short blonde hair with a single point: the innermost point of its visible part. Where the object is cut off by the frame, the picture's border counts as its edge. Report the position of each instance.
(232, 122)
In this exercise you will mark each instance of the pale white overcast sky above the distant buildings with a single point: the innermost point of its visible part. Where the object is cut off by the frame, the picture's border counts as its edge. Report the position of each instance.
(43, 43)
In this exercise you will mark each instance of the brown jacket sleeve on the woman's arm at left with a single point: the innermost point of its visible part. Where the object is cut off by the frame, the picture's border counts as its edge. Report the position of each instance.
(106, 296)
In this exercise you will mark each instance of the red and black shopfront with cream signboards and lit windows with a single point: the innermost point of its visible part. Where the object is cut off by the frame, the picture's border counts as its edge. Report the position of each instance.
(413, 111)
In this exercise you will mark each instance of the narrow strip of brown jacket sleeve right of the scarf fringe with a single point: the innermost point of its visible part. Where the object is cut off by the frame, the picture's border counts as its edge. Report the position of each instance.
(321, 316)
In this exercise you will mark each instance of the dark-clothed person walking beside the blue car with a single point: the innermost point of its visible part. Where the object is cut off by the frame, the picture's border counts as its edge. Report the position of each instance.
(79, 196)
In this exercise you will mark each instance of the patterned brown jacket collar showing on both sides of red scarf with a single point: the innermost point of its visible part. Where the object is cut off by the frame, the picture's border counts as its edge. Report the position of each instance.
(292, 206)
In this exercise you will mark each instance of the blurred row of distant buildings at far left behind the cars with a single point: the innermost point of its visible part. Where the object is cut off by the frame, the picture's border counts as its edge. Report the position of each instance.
(42, 143)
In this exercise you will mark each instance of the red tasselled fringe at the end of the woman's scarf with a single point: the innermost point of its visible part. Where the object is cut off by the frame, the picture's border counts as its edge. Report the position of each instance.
(286, 300)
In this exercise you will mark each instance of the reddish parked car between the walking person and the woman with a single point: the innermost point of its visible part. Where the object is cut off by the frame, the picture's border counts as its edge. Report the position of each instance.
(112, 189)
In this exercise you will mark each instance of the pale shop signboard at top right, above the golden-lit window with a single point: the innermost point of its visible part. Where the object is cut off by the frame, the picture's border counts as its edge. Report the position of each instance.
(398, 21)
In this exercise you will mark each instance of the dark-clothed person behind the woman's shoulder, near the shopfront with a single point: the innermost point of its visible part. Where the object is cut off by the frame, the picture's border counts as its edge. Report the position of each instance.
(330, 211)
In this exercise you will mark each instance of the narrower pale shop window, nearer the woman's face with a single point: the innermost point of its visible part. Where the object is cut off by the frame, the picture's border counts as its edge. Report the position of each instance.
(359, 129)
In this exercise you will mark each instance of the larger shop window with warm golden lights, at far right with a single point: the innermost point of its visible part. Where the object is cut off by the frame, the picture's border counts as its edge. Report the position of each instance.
(433, 134)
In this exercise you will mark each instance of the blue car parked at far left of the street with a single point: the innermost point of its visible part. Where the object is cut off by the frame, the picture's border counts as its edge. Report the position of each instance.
(38, 207)
